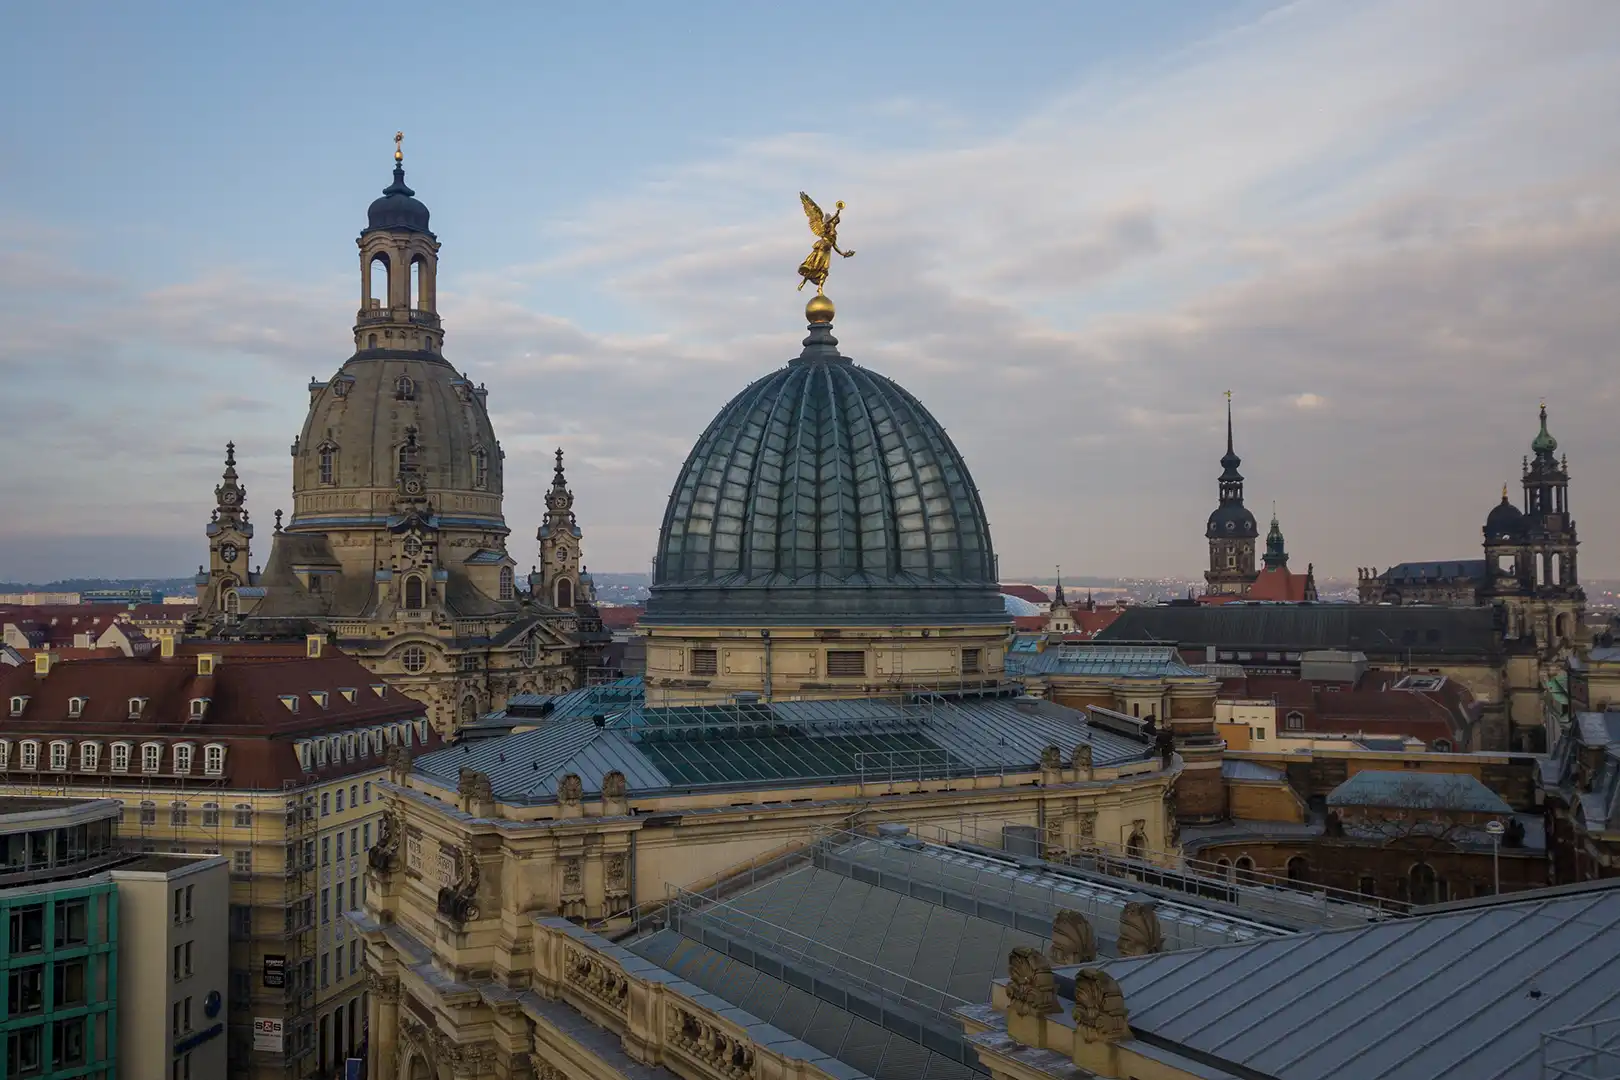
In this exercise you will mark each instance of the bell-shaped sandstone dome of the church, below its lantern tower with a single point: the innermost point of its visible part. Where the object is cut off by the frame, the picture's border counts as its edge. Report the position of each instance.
(362, 419)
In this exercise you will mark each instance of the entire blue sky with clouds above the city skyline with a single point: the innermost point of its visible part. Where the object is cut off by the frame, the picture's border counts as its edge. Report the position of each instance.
(1389, 227)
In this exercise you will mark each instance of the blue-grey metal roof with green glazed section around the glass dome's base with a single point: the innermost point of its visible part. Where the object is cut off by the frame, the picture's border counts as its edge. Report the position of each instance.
(782, 742)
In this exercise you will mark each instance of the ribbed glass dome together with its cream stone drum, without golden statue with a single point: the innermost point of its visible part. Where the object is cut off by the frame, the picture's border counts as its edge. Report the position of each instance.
(824, 540)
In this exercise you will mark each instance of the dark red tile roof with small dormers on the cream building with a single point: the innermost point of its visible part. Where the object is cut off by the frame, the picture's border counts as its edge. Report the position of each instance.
(245, 710)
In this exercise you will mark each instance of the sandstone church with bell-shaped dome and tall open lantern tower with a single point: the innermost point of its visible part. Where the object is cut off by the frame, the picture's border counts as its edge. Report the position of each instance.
(398, 545)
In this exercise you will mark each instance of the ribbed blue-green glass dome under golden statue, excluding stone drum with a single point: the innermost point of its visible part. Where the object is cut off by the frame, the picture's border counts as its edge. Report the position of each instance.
(825, 495)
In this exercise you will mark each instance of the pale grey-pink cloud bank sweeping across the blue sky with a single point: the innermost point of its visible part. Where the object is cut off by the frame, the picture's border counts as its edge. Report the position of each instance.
(1404, 206)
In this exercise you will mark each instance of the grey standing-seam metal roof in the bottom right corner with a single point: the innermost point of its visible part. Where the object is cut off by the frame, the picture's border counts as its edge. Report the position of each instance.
(1462, 995)
